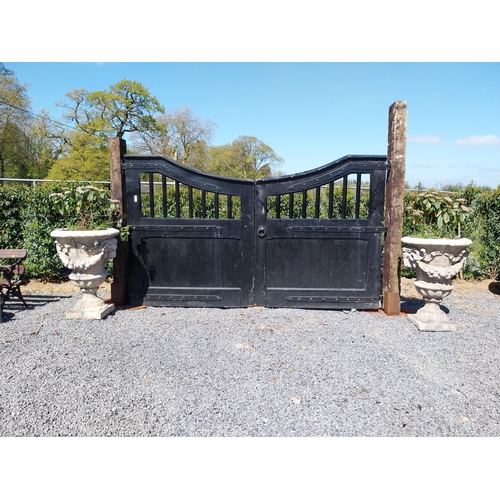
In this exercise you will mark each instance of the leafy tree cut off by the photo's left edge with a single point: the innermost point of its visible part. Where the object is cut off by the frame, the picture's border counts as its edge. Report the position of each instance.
(14, 120)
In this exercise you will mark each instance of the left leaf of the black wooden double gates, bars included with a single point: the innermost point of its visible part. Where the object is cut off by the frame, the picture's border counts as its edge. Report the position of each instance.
(186, 250)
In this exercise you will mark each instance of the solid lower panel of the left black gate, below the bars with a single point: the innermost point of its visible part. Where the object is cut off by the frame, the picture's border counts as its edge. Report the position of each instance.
(187, 265)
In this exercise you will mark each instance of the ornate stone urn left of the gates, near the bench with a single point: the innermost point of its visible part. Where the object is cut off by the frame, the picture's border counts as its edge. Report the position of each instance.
(85, 253)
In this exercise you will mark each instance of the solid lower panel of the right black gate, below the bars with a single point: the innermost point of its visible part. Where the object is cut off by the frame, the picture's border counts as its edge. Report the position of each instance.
(332, 271)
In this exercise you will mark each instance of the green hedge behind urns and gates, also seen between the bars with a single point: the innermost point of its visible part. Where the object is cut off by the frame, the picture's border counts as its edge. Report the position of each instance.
(27, 216)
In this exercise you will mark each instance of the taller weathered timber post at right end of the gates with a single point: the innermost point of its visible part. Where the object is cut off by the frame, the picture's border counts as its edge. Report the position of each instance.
(396, 155)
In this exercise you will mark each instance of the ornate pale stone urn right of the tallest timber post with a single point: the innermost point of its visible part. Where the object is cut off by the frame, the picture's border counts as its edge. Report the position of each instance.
(436, 262)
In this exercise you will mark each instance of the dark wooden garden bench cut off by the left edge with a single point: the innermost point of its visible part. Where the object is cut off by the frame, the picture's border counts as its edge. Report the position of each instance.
(11, 276)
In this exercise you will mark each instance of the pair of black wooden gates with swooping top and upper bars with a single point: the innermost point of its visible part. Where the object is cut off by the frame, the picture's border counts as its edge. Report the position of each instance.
(309, 240)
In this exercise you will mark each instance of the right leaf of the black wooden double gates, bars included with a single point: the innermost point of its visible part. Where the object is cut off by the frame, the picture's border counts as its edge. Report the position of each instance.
(322, 244)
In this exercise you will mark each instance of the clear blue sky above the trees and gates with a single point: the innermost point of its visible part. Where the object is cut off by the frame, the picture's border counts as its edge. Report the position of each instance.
(313, 113)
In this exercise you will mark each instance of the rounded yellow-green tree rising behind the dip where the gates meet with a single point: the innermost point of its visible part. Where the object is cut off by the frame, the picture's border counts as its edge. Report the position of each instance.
(246, 157)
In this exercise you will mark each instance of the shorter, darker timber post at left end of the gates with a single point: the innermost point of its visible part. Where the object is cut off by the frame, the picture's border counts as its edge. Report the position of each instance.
(117, 148)
